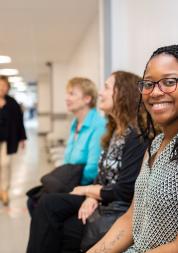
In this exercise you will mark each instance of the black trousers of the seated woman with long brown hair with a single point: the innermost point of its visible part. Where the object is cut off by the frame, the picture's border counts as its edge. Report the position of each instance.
(55, 227)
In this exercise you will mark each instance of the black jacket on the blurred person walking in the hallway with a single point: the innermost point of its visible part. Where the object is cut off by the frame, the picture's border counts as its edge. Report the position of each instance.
(16, 130)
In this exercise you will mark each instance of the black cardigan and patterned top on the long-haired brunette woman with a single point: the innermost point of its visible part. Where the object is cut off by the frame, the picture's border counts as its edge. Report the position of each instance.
(120, 165)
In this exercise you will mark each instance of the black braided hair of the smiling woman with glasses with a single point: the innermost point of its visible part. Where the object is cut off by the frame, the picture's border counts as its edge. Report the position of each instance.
(149, 130)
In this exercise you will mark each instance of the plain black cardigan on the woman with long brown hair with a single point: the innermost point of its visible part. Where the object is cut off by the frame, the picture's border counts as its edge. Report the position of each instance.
(133, 153)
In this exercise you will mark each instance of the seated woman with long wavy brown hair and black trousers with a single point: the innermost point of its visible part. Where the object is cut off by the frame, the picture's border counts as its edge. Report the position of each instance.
(59, 219)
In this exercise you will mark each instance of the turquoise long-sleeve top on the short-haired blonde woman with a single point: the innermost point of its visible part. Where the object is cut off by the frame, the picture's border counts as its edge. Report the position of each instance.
(87, 147)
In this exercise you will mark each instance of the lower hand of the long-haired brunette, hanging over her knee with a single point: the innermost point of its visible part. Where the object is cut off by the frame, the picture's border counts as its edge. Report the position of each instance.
(87, 209)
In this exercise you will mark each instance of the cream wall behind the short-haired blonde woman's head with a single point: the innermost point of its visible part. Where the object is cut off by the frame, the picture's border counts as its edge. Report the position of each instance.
(83, 62)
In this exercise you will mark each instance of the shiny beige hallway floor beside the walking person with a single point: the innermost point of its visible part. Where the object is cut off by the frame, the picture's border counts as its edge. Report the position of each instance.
(28, 166)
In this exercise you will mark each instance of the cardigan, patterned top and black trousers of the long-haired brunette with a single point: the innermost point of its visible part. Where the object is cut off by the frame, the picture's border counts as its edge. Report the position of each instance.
(55, 226)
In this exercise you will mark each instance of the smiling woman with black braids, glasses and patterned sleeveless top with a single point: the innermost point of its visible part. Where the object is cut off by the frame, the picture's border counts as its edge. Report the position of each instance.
(151, 224)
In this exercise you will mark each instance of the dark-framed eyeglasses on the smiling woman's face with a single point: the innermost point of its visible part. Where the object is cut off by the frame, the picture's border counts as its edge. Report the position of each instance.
(166, 85)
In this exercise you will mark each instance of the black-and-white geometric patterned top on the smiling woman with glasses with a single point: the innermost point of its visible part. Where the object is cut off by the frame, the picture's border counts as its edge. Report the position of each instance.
(155, 220)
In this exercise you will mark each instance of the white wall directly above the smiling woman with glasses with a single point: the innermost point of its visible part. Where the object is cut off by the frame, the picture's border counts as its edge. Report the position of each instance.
(138, 28)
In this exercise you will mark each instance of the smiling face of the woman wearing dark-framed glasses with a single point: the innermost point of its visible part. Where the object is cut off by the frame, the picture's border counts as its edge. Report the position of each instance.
(162, 102)
